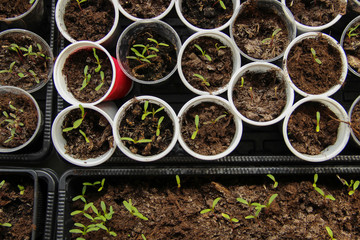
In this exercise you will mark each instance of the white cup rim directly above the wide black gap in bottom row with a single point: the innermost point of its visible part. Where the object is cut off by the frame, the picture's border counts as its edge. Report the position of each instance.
(260, 67)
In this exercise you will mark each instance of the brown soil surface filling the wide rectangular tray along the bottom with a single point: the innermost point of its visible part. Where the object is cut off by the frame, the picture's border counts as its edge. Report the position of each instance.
(298, 212)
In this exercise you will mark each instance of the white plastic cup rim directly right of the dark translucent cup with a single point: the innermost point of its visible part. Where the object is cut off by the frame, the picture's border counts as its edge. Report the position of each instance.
(218, 36)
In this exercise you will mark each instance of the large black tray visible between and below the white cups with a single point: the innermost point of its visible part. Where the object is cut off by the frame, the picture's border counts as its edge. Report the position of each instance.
(258, 146)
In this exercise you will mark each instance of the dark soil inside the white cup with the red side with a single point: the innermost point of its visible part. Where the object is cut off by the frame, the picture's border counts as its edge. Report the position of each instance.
(74, 68)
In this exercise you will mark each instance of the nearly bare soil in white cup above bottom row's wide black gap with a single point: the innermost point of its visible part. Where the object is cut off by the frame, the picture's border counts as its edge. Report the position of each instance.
(262, 97)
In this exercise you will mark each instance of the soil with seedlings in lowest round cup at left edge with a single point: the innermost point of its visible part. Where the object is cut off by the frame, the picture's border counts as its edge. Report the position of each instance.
(20, 121)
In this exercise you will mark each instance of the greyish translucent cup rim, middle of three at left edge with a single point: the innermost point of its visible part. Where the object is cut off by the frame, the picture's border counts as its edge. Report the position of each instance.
(46, 49)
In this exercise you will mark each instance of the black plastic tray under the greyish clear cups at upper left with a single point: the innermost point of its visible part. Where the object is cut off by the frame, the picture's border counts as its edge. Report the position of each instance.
(39, 149)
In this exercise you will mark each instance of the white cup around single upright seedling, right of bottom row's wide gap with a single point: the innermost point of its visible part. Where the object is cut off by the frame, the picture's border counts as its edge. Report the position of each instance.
(342, 136)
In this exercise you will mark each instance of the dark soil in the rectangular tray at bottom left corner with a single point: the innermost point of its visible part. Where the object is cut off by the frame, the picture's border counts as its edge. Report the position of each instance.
(16, 208)
